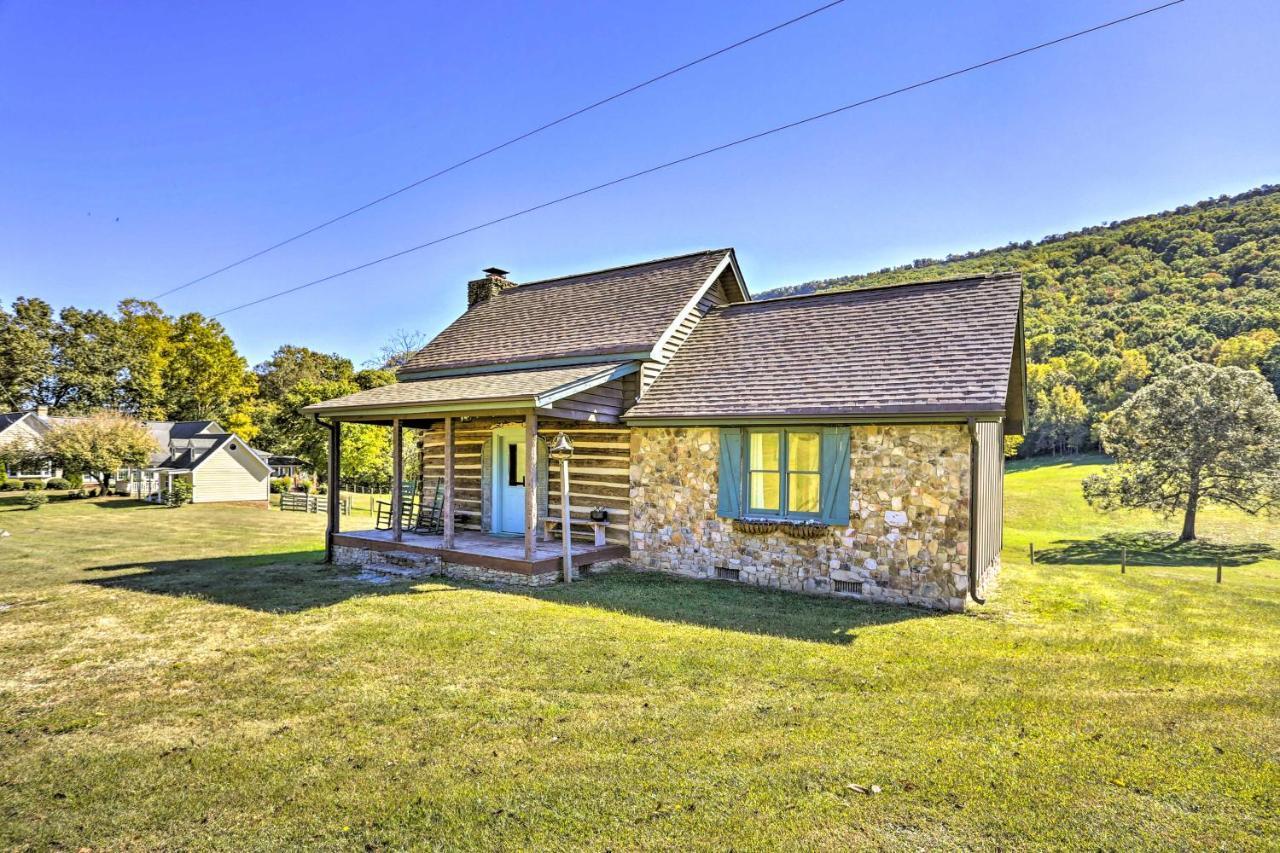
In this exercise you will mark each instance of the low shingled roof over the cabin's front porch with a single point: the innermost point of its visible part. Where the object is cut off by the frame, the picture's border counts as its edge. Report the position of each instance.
(497, 393)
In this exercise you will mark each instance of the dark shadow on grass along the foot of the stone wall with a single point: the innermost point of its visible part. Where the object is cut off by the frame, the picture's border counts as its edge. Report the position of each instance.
(728, 606)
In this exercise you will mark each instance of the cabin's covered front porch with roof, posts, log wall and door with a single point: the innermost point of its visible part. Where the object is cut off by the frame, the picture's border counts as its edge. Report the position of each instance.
(501, 505)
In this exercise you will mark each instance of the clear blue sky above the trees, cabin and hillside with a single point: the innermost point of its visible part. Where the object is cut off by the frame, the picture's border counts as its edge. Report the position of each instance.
(144, 144)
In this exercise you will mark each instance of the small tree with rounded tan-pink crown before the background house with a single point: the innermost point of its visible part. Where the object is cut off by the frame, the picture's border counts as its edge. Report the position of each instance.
(100, 445)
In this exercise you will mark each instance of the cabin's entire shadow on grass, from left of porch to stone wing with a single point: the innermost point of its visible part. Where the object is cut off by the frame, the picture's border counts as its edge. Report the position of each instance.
(296, 582)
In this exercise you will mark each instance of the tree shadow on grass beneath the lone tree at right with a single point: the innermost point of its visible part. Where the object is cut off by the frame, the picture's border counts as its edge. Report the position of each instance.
(1153, 550)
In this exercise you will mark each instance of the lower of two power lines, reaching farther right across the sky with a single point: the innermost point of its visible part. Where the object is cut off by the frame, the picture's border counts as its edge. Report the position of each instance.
(707, 152)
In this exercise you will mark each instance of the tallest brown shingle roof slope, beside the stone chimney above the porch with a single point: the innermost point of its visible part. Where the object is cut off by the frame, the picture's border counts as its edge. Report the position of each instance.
(625, 309)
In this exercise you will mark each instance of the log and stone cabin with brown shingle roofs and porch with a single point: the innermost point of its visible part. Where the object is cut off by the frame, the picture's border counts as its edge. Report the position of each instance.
(847, 444)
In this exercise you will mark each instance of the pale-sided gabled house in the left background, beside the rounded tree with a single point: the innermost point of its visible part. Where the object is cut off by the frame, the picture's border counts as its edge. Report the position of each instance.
(220, 466)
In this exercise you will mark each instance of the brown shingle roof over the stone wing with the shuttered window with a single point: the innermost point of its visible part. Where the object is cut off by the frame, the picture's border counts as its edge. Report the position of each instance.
(912, 349)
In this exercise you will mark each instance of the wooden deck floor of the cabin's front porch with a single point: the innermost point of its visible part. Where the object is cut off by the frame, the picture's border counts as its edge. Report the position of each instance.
(505, 554)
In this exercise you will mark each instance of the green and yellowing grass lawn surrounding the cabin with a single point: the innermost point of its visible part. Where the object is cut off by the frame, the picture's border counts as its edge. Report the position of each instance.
(195, 678)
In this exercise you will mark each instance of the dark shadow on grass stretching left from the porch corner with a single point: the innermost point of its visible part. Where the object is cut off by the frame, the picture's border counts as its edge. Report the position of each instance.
(272, 583)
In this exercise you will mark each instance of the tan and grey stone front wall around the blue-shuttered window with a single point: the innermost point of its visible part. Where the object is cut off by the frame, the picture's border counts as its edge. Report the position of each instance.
(907, 542)
